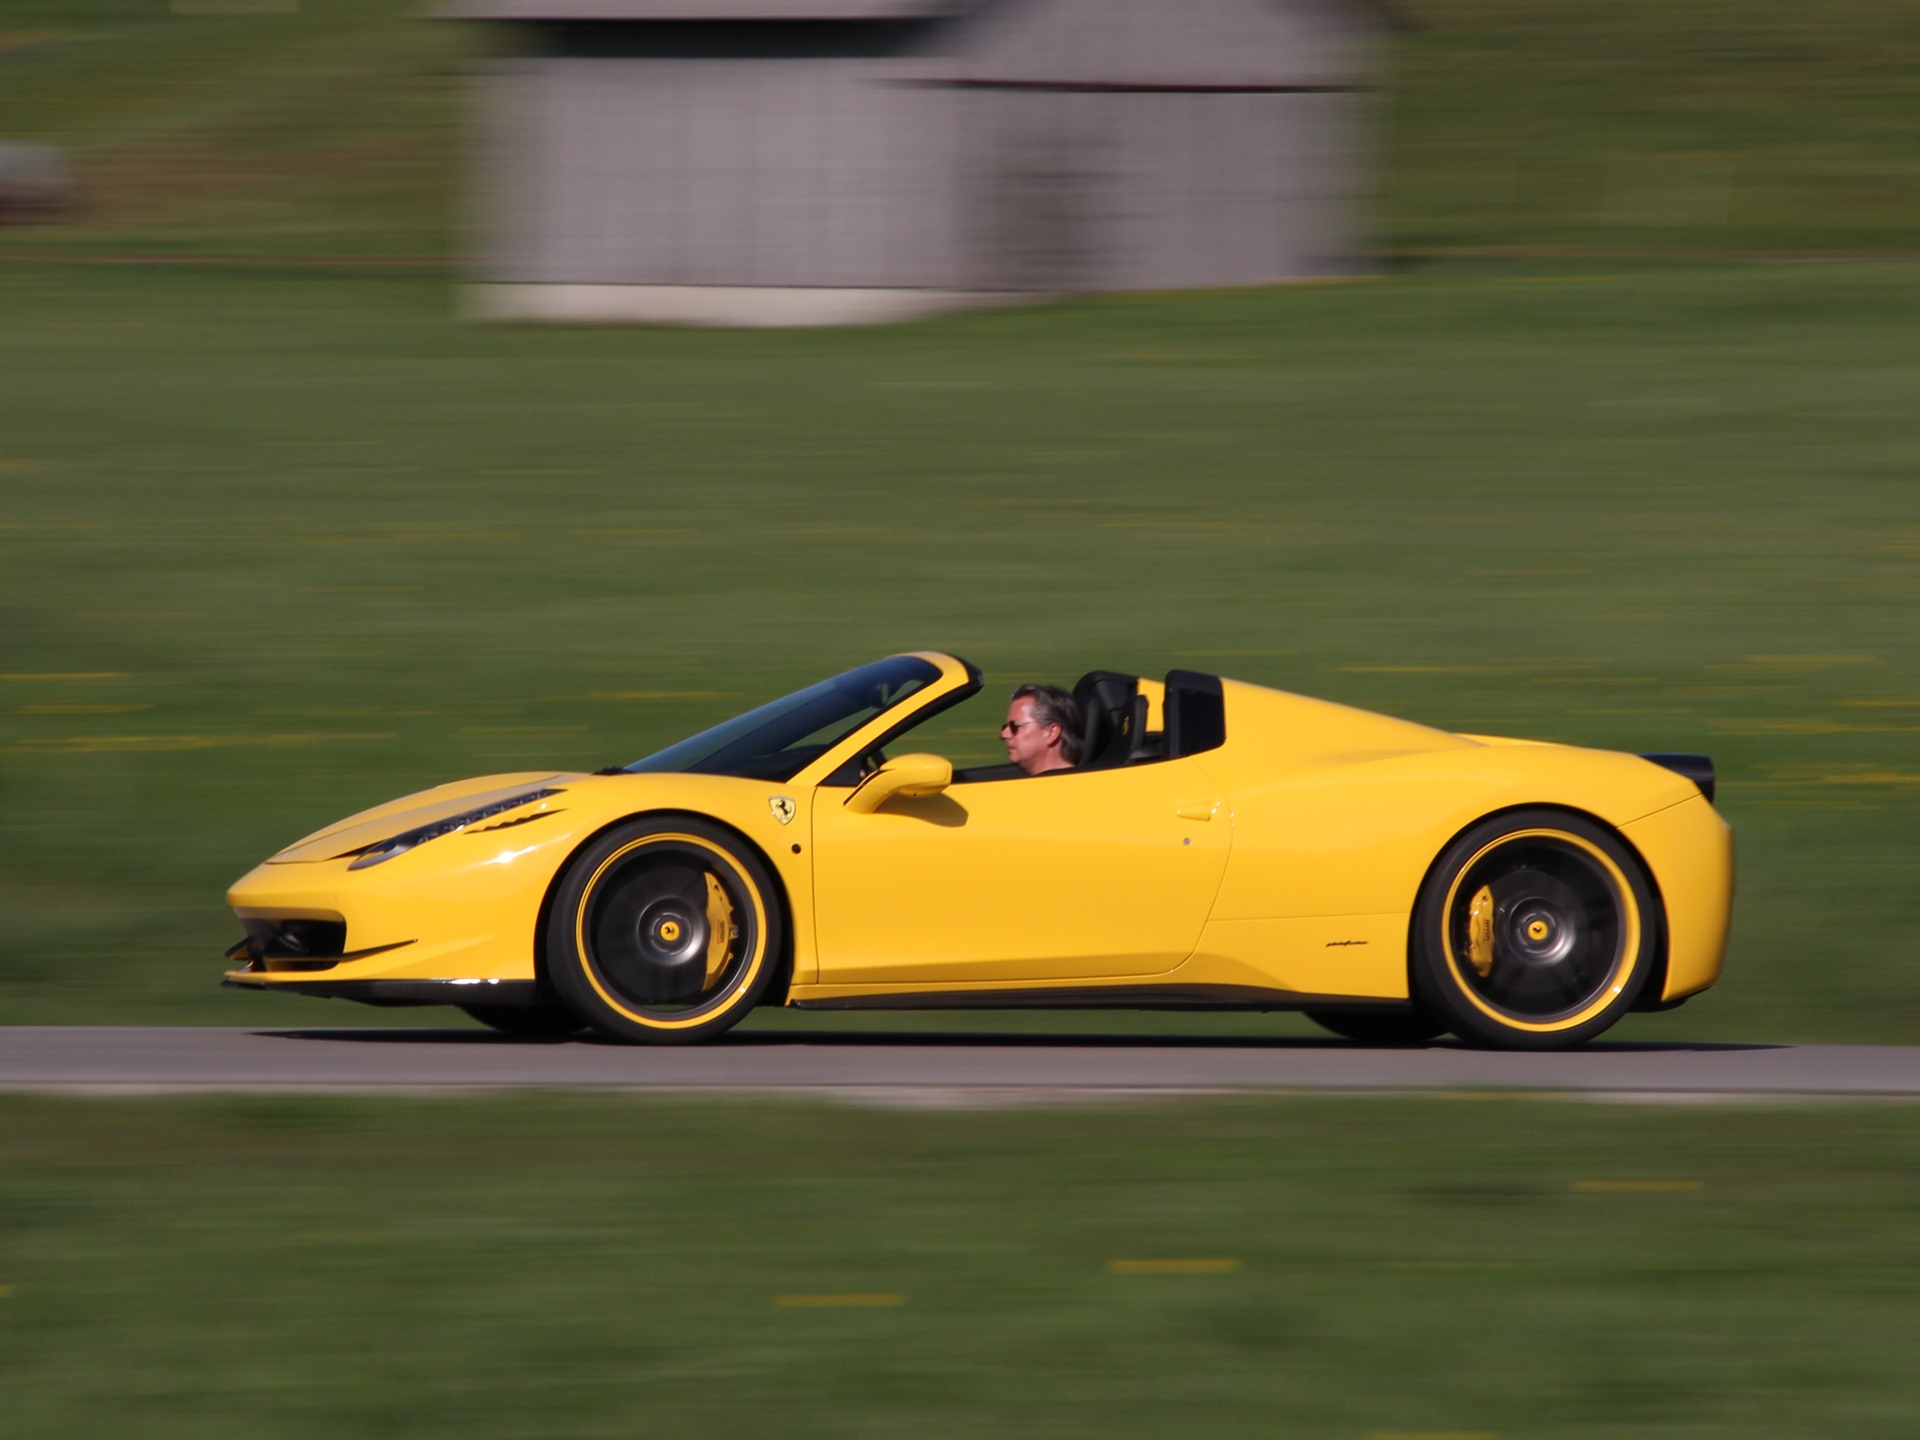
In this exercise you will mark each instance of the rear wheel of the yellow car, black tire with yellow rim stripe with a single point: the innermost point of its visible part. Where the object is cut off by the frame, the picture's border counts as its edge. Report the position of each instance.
(1535, 932)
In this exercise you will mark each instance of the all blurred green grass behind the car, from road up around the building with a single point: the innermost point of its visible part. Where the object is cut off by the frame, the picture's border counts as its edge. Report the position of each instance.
(285, 539)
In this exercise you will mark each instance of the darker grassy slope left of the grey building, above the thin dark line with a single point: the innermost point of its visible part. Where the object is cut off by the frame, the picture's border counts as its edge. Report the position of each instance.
(325, 132)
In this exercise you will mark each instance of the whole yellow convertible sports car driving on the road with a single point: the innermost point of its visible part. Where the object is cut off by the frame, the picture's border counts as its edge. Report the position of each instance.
(1216, 846)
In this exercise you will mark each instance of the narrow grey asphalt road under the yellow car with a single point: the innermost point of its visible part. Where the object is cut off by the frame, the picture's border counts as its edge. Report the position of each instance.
(915, 1068)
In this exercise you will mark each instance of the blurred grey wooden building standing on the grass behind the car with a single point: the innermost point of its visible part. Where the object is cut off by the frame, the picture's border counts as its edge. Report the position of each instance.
(804, 162)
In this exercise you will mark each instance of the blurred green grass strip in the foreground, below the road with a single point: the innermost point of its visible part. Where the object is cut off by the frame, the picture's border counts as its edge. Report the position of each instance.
(613, 1266)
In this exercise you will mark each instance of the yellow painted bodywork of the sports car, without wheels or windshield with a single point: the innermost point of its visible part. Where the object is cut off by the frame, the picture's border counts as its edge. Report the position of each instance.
(1280, 867)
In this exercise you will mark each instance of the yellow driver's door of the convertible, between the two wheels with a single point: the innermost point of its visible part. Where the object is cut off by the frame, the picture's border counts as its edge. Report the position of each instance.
(1067, 876)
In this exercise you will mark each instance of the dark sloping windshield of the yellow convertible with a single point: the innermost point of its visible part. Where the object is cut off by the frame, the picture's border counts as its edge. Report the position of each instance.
(780, 740)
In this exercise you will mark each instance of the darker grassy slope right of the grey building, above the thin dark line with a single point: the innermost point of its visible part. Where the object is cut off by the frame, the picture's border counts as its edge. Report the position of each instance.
(1652, 128)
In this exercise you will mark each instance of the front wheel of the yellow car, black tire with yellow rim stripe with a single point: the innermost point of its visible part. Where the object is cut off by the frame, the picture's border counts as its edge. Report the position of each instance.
(665, 932)
